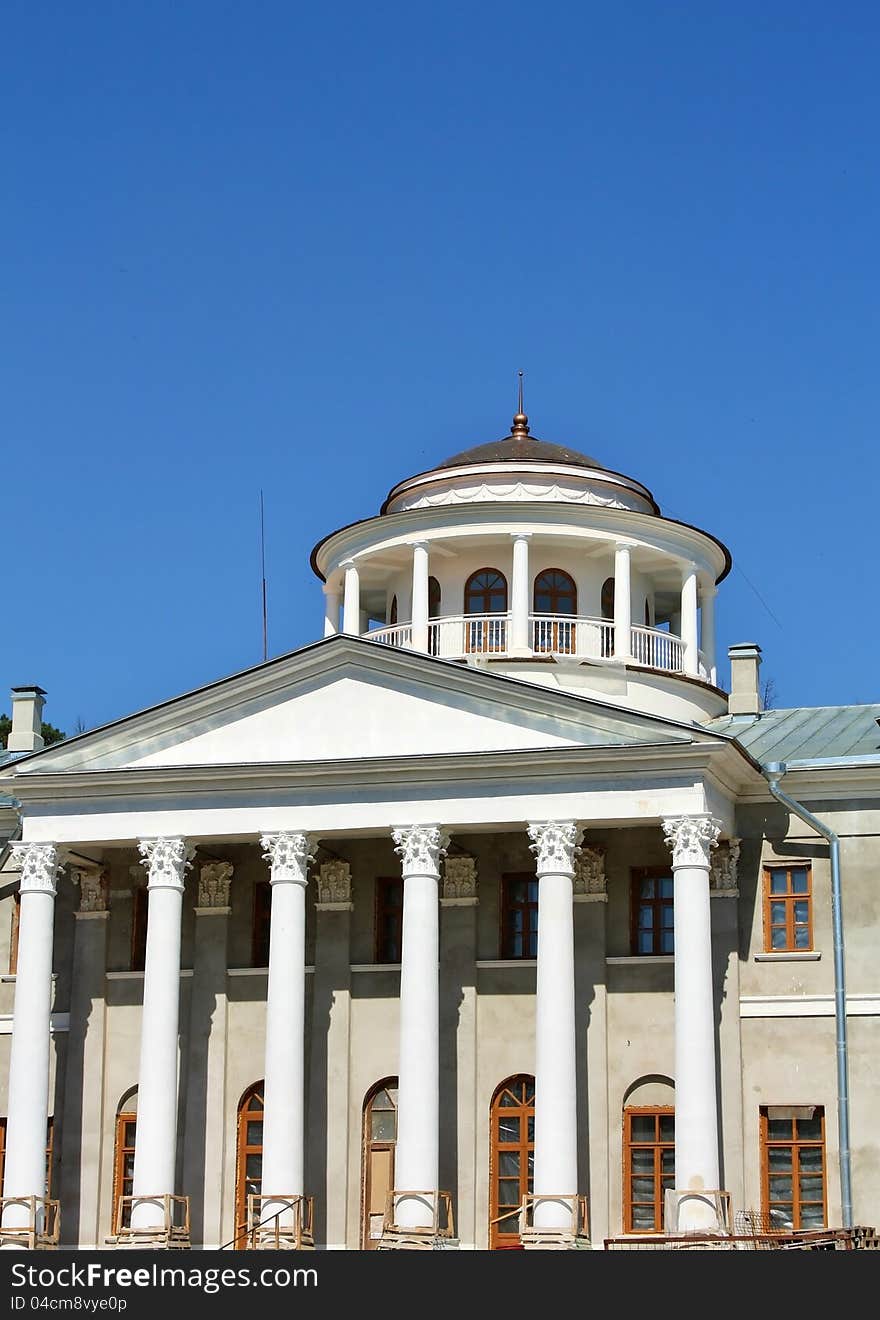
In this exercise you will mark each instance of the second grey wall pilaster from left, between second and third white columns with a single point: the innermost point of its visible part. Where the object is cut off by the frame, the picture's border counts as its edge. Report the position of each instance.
(206, 1055)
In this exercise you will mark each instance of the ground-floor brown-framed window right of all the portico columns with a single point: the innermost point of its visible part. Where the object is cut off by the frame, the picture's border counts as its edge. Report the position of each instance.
(794, 1166)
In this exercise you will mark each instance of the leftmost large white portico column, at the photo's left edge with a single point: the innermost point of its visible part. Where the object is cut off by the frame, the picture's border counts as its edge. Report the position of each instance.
(28, 1105)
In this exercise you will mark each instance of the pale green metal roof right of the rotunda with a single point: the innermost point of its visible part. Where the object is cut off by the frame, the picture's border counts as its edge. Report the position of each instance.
(807, 733)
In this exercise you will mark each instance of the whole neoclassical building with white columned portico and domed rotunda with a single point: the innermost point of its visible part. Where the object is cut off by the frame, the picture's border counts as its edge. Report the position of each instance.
(489, 919)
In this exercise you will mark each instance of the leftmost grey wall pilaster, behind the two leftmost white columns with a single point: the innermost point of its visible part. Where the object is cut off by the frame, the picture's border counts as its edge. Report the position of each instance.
(85, 1063)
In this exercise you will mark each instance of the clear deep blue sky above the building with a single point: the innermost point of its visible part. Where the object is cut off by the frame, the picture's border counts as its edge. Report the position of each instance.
(307, 249)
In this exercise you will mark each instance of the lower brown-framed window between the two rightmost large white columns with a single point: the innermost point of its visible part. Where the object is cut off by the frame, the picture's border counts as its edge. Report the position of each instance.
(648, 1168)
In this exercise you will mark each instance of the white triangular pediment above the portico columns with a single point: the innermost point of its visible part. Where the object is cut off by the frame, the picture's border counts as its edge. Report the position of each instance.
(352, 700)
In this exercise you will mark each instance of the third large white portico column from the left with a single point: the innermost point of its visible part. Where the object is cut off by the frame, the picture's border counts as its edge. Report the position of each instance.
(284, 1095)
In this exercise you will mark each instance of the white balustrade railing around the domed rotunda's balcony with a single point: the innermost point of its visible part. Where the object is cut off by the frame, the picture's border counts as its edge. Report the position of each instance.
(460, 636)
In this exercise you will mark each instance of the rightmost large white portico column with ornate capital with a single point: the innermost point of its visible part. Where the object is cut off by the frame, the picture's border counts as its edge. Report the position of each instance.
(697, 1168)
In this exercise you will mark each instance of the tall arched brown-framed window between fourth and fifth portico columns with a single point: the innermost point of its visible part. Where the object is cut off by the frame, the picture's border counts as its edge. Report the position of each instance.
(511, 1158)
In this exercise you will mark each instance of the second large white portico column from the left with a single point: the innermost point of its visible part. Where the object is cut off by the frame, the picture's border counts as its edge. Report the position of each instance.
(167, 861)
